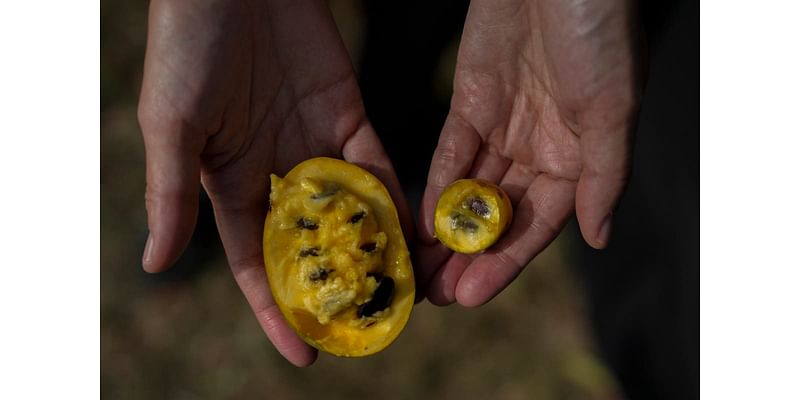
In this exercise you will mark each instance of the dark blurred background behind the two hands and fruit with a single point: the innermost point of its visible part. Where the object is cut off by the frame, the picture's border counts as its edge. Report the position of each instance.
(577, 324)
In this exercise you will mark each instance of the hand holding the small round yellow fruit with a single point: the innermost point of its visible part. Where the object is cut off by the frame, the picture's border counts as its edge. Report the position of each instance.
(545, 98)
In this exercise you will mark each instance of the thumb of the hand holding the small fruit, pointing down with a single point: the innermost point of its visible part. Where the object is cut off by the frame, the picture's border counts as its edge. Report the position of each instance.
(606, 166)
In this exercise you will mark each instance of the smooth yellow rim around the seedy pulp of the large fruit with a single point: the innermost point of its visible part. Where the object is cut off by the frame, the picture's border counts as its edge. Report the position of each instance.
(339, 336)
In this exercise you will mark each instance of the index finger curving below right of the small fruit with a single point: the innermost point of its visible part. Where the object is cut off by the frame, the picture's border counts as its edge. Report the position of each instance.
(539, 217)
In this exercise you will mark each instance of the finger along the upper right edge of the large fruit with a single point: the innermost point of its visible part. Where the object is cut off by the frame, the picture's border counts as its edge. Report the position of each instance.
(364, 149)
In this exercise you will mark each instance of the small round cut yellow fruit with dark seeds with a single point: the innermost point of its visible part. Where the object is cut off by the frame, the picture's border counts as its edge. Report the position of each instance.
(458, 222)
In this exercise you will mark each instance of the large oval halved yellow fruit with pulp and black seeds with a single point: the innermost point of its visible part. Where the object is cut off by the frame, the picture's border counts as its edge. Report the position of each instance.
(338, 265)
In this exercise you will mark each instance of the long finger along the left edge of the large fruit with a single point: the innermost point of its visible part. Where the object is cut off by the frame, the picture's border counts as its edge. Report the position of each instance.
(240, 218)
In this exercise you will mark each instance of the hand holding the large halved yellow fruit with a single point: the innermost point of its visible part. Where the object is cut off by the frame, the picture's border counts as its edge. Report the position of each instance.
(232, 91)
